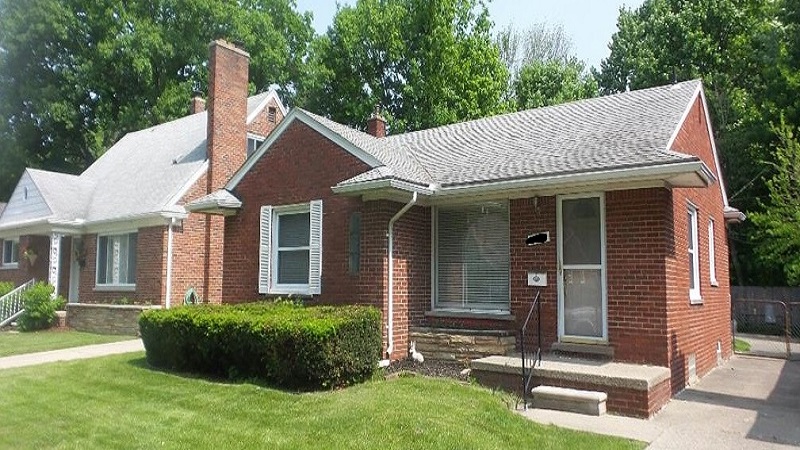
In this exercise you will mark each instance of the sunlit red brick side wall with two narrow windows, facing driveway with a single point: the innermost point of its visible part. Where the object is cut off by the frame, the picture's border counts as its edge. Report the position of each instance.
(696, 329)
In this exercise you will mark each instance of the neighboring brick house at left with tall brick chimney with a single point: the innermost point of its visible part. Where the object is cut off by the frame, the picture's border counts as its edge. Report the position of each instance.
(120, 228)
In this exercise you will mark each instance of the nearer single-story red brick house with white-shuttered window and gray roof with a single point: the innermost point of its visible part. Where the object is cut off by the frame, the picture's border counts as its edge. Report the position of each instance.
(431, 227)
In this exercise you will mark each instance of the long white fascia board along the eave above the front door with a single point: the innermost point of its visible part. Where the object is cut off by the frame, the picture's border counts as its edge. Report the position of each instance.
(635, 174)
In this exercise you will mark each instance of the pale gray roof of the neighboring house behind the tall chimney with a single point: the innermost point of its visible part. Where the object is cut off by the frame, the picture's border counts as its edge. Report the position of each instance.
(146, 173)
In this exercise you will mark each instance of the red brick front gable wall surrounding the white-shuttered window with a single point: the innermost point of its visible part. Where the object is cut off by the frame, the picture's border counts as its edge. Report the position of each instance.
(301, 165)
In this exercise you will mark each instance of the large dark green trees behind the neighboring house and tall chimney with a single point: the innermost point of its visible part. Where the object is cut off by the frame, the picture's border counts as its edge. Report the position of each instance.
(76, 75)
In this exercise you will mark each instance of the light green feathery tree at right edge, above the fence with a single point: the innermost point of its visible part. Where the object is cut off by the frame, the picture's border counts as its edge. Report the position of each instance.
(779, 222)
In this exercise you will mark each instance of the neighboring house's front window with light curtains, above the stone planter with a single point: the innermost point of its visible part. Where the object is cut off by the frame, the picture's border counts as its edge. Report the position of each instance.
(116, 260)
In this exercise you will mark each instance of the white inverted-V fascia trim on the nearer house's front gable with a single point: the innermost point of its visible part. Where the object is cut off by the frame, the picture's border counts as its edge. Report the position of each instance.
(298, 114)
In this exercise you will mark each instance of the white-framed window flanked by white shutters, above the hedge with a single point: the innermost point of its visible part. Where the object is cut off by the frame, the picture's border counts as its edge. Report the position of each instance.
(290, 250)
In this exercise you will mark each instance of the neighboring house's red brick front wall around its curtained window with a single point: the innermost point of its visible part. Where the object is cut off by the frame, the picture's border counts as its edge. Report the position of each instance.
(150, 270)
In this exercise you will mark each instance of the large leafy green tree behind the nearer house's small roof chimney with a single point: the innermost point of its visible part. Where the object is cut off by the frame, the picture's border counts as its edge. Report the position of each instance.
(425, 63)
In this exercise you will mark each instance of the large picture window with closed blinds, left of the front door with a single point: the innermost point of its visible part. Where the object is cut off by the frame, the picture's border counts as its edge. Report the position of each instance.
(472, 257)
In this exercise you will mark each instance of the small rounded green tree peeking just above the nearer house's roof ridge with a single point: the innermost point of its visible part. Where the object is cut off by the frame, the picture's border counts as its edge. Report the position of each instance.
(550, 83)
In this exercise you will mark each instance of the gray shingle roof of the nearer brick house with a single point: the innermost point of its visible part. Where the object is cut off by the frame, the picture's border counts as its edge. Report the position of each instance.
(630, 129)
